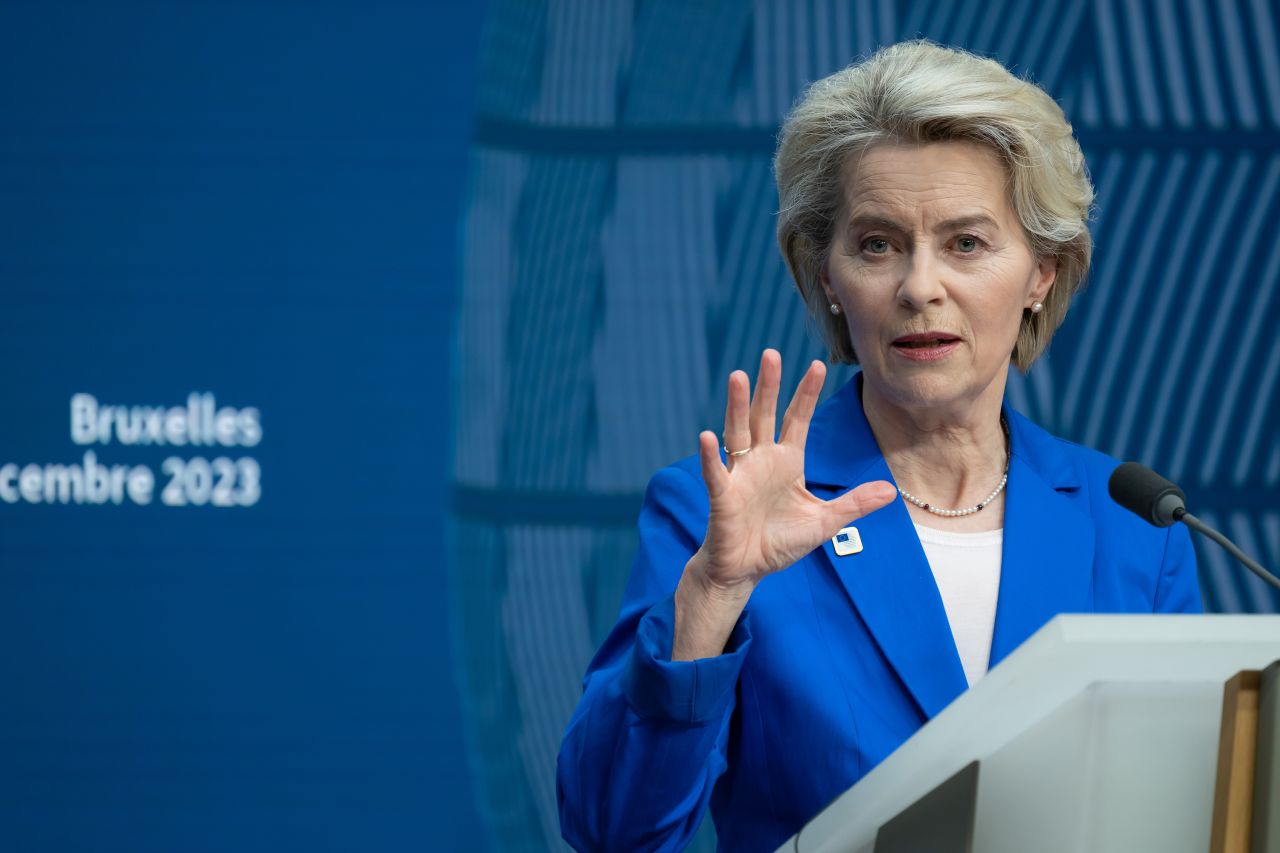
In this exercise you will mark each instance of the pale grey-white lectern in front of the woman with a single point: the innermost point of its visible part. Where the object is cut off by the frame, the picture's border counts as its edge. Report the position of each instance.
(1100, 733)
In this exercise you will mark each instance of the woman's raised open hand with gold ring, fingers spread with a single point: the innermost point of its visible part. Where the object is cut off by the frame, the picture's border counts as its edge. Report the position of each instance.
(762, 517)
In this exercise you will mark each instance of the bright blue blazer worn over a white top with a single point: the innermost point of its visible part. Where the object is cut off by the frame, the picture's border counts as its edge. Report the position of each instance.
(836, 660)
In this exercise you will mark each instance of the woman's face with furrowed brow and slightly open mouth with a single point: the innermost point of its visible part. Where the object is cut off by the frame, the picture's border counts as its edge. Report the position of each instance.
(932, 271)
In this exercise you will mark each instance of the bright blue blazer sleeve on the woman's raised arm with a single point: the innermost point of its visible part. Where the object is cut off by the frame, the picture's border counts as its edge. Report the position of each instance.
(648, 738)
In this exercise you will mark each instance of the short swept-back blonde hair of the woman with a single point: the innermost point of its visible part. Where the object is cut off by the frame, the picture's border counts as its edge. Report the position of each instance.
(921, 93)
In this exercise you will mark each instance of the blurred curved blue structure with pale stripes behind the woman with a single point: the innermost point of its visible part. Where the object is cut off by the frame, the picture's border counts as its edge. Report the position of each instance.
(620, 262)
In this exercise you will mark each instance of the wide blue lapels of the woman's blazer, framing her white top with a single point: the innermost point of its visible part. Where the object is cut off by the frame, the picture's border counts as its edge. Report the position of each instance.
(1046, 565)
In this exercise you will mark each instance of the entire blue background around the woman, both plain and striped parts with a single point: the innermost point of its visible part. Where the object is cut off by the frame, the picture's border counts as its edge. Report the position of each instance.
(484, 268)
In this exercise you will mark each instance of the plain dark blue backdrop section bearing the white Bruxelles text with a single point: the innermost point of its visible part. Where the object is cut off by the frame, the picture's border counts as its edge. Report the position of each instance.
(254, 202)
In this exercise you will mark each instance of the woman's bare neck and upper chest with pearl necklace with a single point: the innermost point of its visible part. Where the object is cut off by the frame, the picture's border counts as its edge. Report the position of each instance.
(953, 458)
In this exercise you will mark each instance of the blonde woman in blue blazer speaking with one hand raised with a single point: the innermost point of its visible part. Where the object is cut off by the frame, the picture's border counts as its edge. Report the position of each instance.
(803, 604)
